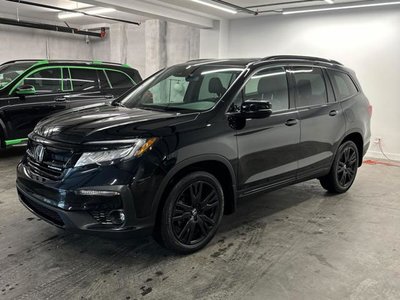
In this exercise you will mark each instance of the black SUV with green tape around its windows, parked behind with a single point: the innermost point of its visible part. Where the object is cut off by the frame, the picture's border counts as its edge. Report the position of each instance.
(31, 90)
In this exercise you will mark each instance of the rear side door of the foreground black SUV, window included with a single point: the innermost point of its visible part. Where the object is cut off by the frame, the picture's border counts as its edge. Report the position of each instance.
(322, 120)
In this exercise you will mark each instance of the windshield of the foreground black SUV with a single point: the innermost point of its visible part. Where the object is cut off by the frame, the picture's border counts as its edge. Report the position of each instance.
(183, 88)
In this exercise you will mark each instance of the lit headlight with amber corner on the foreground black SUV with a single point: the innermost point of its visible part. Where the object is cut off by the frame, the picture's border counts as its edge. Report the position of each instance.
(139, 146)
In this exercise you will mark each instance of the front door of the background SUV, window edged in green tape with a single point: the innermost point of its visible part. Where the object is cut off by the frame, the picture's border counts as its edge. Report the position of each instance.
(23, 112)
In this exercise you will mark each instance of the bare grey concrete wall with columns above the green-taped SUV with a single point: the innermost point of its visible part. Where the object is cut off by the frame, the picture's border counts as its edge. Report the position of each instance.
(149, 47)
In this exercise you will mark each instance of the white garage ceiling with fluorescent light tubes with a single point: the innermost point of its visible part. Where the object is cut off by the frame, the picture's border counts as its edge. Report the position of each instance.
(183, 11)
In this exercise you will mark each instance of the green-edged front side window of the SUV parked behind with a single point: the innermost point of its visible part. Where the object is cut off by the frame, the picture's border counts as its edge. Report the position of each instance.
(45, 81)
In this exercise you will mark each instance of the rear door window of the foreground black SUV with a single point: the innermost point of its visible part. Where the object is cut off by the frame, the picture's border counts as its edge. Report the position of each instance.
(310, 86)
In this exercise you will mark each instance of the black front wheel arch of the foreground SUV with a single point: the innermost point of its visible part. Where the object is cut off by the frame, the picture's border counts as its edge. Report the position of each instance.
(216, 165)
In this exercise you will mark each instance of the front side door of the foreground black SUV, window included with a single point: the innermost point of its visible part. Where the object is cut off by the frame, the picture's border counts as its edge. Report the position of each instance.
(268, 148)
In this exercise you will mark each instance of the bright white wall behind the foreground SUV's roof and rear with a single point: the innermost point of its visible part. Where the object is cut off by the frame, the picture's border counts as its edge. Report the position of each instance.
(366, 40)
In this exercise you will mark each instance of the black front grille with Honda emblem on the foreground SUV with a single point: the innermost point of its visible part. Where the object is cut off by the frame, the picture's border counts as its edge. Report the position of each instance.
(54, 161)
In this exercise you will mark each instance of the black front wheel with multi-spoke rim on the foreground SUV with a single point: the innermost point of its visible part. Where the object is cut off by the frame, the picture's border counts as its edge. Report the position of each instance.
(192, 213)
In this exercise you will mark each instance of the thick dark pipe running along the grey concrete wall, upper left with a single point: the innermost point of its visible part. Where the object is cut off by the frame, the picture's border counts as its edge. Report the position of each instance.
(49, 27)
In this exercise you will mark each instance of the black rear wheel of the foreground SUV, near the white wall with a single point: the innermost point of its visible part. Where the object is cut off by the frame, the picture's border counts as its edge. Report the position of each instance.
(343, 170)
